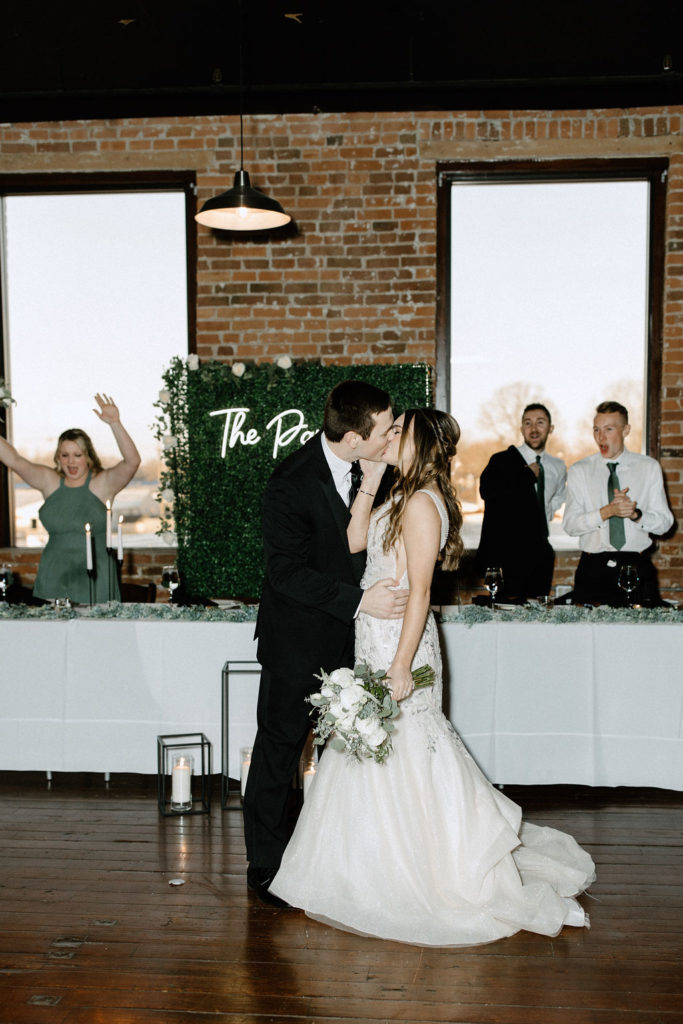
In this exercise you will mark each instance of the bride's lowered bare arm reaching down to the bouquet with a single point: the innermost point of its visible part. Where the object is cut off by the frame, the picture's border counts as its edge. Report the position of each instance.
(421, 537)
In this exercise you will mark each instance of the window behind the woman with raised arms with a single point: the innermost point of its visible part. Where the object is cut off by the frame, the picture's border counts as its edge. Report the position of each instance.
(96, 298)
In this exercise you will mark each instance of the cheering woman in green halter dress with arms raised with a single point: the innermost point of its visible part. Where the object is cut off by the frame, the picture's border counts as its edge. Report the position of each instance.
(76, 493)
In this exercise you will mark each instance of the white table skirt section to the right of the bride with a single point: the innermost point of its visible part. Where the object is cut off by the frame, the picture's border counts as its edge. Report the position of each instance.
(590, 705)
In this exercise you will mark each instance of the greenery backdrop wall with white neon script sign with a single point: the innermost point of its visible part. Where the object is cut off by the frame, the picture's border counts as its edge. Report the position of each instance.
(224, 429)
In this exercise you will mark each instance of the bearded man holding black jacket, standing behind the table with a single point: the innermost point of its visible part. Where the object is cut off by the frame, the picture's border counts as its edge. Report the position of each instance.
(523, 488)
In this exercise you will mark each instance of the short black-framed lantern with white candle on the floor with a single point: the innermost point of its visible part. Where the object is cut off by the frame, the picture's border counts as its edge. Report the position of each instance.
(184, 775)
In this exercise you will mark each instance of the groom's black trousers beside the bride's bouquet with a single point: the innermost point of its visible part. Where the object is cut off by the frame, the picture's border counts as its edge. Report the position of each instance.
(284, 723)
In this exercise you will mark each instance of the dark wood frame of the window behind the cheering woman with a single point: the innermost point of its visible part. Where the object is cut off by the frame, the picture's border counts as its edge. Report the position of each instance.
(30, 184)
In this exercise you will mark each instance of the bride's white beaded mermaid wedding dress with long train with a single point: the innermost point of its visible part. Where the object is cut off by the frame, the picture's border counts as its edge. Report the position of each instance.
(423, 849)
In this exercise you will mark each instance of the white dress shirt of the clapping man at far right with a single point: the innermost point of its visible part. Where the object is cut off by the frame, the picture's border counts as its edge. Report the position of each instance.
(587, 494)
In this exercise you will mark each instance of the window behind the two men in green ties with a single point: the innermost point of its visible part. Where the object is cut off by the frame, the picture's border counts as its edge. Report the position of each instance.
(551, 292)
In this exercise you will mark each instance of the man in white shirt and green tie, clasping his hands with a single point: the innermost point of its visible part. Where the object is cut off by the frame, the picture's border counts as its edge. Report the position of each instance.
(616, 504)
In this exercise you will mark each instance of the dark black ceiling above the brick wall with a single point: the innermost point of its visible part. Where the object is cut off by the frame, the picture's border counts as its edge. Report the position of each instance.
(156, 58)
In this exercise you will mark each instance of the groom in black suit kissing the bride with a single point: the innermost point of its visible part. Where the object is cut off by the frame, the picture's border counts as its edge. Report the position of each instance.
(311, 599)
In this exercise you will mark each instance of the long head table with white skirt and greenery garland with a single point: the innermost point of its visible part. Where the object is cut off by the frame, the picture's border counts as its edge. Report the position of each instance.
(539, 697)
